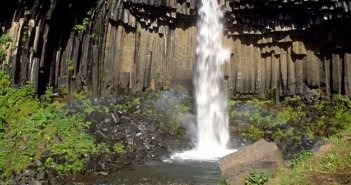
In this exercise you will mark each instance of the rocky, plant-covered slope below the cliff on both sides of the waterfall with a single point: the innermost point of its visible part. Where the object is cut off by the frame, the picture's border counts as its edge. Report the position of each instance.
(62, 136)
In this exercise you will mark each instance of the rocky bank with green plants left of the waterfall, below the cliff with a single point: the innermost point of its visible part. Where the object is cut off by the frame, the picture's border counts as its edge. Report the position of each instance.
(59, 135)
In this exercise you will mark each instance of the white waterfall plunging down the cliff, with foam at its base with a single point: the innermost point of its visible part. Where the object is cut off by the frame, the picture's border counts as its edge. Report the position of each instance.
(212, 116)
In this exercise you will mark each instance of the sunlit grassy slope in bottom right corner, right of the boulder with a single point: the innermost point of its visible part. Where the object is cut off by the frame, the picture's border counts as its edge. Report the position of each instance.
(334, 167)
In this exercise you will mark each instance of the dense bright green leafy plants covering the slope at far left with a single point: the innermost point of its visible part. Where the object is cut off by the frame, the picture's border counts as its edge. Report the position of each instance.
(29, 129)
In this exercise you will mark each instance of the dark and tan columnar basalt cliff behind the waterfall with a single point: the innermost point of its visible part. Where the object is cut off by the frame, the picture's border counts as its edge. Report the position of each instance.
(106, 46)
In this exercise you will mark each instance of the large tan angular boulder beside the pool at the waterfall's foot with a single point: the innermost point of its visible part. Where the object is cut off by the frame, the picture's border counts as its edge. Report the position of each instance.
(261, 155)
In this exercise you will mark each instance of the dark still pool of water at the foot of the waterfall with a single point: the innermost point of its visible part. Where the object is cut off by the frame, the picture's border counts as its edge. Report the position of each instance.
(177, 173)
